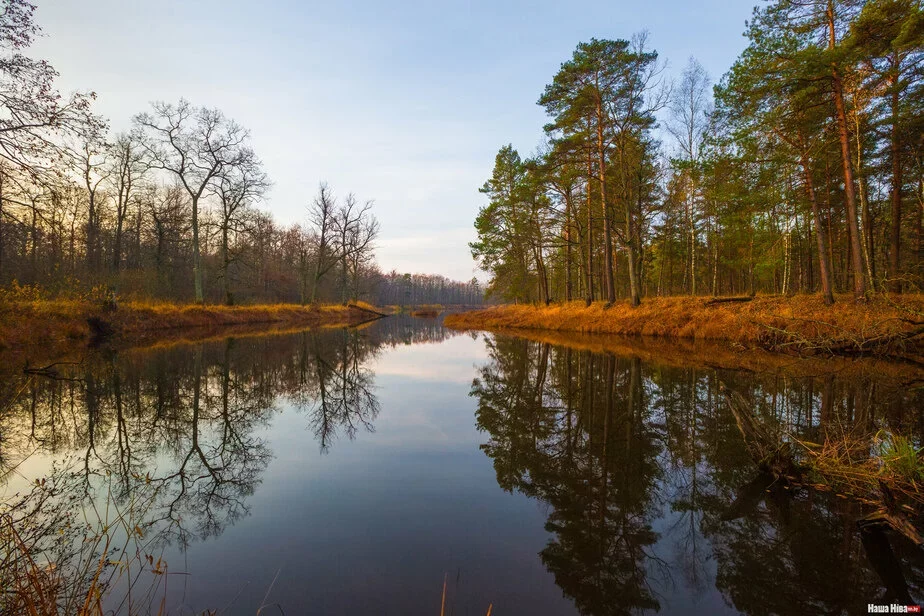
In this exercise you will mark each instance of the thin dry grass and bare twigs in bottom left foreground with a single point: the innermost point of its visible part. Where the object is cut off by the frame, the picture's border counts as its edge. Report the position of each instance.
(57, 558)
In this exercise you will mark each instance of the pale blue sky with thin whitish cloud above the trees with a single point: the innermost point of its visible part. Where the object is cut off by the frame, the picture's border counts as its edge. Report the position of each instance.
(402, 102)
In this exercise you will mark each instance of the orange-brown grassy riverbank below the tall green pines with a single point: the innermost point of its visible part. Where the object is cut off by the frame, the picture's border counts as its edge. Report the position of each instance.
(883, 325)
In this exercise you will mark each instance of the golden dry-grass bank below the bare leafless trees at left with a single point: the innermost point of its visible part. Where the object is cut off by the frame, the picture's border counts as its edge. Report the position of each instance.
(25, 324)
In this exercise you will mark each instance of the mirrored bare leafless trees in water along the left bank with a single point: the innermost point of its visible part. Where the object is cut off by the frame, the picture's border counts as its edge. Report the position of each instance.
(171, 437)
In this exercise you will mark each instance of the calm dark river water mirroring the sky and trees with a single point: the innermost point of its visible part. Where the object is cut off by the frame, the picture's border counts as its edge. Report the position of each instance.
(352, 471)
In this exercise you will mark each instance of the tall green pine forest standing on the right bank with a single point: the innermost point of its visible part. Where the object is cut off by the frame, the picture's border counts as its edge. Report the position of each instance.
(802, 170)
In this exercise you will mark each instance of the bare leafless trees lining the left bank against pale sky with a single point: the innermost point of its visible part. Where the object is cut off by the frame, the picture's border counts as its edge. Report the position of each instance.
(170, 209)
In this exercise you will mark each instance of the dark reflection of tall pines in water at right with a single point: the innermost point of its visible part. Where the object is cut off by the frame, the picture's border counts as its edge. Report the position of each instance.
(652, 494)
